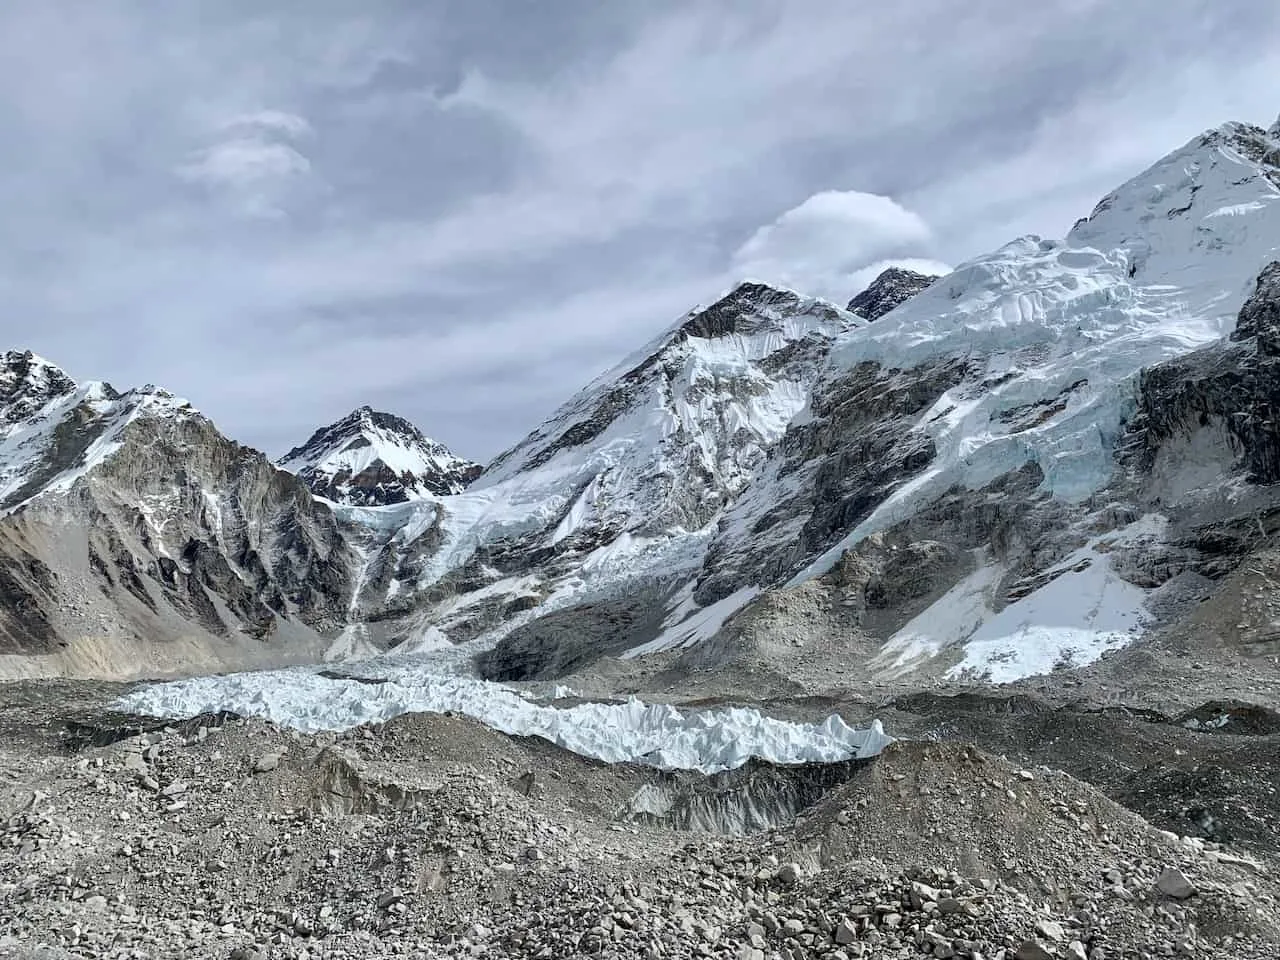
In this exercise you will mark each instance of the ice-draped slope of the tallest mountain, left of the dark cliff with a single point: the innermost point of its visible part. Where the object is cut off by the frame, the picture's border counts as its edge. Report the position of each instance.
(957, 488)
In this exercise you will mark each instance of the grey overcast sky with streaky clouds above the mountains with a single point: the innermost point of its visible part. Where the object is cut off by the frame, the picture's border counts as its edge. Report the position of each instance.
(464, 212)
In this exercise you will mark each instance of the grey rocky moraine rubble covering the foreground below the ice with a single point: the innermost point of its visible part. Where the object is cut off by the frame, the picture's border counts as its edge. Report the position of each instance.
(1011, 826)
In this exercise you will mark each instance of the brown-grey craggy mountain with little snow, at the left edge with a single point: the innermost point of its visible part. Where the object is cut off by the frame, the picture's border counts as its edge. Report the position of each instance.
(135, 538)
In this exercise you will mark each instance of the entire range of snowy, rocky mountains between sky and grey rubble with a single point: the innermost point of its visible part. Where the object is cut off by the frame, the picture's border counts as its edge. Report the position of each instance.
(1058, 449)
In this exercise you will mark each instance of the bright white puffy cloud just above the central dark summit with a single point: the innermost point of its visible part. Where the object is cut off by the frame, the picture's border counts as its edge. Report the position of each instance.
(821, 245)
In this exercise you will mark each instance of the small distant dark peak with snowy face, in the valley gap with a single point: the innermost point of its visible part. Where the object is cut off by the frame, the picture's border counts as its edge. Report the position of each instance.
(371, 459)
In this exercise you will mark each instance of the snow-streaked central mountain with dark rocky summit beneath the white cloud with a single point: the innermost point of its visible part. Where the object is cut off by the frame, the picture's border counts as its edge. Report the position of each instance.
(620, 491)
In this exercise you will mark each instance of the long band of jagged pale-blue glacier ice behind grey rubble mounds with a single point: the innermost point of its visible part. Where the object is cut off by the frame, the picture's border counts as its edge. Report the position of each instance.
(657, 735)
